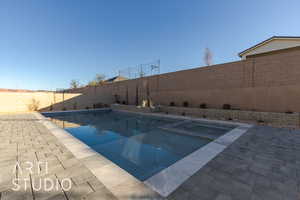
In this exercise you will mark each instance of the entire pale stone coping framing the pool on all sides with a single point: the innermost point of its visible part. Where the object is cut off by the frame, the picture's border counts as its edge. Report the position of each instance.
(164, 182)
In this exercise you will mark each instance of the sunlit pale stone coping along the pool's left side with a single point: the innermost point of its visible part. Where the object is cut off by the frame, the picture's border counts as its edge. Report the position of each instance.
(121, 183)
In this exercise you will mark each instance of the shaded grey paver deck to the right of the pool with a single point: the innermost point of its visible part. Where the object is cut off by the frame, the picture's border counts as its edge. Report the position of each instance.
(263, 164)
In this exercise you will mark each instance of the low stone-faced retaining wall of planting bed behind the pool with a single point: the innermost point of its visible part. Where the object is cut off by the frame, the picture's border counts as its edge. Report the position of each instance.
(269, 118)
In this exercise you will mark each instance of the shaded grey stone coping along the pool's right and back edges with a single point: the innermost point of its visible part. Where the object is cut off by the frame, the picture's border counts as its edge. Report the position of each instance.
(164, 182)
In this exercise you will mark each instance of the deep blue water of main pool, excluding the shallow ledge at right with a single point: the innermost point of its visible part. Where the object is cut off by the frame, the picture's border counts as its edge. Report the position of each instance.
(136, 143)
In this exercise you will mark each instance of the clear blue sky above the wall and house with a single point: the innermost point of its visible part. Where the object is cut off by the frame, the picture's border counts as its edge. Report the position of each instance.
(44, 44)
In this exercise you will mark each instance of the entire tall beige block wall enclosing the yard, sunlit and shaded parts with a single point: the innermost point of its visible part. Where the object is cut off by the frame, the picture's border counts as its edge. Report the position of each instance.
(268, 82)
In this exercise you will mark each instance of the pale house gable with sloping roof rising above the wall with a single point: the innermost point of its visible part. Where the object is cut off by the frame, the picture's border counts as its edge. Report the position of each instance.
(272, 44)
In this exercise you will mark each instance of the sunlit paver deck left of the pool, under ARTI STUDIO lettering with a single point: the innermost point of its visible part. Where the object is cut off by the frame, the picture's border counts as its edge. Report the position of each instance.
(23, 140)
